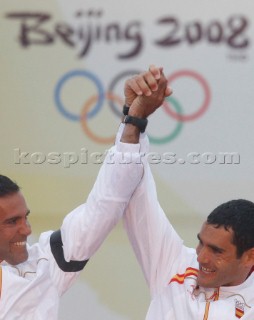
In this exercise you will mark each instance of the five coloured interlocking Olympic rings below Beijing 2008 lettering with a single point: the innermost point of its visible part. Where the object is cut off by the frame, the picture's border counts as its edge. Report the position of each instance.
(94, 104)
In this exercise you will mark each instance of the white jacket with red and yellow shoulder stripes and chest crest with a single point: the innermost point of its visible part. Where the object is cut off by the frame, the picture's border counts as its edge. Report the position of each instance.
(170, 268)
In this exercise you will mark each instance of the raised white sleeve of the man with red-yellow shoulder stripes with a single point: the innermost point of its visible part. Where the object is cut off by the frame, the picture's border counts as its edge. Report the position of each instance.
(155, 242)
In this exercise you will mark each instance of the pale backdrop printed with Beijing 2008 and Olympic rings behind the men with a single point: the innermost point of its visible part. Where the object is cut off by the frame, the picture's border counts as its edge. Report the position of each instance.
(63, 59)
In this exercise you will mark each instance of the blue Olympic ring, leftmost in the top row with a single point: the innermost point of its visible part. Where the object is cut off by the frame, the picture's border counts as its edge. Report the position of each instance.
(81, 73)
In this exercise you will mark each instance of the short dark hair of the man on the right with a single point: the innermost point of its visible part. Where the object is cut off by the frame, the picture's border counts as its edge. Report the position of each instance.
(239, 216)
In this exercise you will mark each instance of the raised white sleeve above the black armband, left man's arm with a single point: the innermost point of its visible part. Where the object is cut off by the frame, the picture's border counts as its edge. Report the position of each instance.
(85, 228)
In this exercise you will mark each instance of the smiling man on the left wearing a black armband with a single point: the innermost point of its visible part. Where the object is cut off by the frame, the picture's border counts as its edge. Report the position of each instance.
(33, 278)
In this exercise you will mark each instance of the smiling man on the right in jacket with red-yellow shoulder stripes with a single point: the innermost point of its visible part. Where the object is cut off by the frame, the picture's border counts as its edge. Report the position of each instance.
(215, 281)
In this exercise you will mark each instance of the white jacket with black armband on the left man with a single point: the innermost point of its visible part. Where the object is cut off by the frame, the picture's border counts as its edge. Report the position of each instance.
(31, 290)
